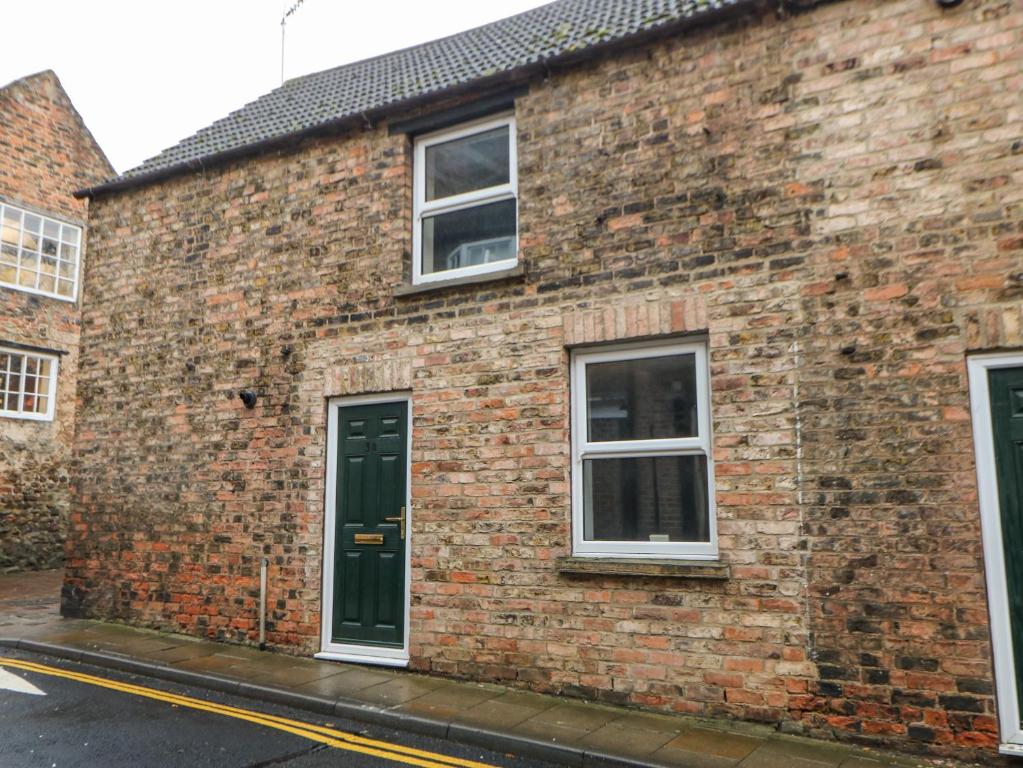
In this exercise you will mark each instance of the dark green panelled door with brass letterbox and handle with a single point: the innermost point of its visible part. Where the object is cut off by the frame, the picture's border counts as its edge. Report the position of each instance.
(370, 548)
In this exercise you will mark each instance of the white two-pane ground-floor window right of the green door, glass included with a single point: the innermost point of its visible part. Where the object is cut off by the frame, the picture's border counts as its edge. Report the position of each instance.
(643, 476)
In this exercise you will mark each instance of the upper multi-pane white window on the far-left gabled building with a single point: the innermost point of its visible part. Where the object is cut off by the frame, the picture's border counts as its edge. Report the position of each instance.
(38, 255)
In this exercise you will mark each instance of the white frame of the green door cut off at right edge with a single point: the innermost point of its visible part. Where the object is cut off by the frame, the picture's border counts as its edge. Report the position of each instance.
(1011, 735)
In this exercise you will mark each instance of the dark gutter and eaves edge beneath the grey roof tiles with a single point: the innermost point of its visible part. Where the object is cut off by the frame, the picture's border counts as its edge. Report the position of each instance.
(503, 79)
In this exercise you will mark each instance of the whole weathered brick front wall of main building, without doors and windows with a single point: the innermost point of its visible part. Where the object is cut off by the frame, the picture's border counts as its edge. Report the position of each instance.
(833, 200)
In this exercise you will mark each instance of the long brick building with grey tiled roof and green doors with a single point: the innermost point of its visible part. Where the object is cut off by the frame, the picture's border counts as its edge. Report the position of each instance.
(618, 349)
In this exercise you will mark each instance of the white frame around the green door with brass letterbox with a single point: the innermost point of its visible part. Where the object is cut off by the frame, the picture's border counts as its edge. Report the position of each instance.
(346, 652)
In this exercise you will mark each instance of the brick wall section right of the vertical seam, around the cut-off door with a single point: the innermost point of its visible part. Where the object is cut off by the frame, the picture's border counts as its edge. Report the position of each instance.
(916, 138)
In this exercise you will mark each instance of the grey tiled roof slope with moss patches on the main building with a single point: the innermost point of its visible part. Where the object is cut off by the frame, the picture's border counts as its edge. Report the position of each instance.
(547, 33)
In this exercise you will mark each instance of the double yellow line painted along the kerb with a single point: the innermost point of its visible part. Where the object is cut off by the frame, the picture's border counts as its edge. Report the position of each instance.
(323, 735)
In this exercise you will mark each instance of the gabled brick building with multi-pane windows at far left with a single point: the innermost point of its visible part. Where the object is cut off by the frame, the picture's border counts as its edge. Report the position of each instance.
(47, 153)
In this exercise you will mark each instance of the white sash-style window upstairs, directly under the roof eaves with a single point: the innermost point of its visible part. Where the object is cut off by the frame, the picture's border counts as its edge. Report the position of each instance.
(466, 218)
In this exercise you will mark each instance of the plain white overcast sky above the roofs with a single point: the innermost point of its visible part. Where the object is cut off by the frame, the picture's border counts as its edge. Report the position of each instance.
(146, 75)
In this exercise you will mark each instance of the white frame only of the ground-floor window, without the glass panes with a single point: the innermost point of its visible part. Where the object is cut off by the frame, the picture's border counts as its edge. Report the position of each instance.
(584, 449)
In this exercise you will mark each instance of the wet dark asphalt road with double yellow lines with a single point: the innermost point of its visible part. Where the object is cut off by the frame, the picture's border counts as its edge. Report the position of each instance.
(81, 724)
